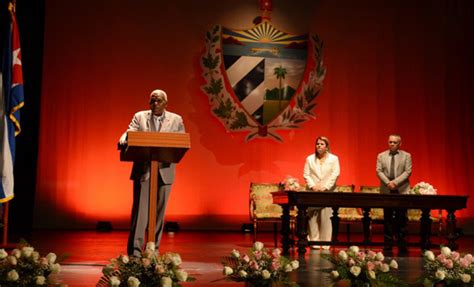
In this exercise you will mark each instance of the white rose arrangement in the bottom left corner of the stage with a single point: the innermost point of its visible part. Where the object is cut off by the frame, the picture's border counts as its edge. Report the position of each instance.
(25, 267)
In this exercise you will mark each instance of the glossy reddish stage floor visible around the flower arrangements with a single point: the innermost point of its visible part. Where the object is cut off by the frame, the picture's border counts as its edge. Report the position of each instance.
(88, 251)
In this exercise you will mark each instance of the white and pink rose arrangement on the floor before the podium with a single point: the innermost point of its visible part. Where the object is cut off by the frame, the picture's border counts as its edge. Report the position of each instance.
(151, 269)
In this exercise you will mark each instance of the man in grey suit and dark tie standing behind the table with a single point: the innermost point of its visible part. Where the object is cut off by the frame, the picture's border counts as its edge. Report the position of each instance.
(394, 169)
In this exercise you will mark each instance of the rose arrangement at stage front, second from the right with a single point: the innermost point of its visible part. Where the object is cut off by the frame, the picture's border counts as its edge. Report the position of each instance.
(362, 268)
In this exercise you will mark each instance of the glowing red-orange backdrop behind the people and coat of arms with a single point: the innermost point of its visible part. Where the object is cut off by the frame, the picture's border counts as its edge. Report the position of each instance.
(393, 67)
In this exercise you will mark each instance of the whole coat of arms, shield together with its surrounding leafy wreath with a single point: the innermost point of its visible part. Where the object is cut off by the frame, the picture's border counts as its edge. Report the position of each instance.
(262, 79)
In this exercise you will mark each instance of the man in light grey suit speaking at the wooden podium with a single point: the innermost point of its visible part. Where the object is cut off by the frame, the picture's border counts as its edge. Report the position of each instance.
(156, 119)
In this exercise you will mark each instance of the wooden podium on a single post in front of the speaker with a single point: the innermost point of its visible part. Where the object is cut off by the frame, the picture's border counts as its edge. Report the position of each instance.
(154, 147)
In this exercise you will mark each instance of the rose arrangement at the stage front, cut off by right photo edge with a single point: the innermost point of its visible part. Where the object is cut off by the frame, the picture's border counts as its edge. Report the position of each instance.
(449, 267)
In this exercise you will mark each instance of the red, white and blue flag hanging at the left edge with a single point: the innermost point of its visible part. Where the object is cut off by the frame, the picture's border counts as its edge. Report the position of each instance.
(11, 102)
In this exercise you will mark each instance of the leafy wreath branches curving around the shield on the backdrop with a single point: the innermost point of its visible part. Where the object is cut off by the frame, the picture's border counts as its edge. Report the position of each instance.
(226, 107)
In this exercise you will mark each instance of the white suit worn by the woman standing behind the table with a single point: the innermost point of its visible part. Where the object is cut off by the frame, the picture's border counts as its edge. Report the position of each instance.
(325, 174)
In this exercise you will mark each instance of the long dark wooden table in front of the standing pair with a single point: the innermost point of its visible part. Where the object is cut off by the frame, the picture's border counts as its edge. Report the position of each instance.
(304, 199)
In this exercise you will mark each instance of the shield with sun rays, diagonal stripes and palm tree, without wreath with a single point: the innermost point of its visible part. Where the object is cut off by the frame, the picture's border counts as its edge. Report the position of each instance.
(264, 66)
